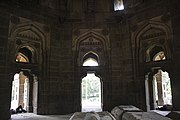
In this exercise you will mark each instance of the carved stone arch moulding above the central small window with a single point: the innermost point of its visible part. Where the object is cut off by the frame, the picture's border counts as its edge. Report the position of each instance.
(90, 41)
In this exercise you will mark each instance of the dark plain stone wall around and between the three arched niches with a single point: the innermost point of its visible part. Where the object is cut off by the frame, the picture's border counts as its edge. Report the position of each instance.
(59, 75)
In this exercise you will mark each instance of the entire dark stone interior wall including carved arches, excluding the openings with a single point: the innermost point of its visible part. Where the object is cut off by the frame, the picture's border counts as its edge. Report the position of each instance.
(54, 31)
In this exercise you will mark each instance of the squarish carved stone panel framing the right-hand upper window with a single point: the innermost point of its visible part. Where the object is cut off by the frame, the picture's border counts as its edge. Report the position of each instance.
(149, 33)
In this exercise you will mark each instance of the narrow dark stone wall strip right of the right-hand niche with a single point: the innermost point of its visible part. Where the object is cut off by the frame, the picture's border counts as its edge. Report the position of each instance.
(175, 74)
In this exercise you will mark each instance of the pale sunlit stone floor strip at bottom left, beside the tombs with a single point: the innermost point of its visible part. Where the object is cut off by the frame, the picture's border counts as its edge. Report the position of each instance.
(31, 116)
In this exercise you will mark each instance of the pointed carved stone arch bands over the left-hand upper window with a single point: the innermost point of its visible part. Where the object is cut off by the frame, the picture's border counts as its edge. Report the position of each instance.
(27, 34)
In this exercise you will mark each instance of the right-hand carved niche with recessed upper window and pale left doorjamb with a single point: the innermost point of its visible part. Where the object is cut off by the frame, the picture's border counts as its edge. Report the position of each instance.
(149, 38)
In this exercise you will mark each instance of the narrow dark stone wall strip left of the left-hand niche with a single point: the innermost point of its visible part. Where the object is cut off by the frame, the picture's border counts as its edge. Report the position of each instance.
(5, 86)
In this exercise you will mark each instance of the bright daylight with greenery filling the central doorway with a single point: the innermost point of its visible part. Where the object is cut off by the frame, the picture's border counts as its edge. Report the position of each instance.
(91, 93)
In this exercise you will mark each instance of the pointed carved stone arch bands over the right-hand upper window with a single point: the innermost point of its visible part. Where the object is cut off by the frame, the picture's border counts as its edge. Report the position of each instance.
(158, 30)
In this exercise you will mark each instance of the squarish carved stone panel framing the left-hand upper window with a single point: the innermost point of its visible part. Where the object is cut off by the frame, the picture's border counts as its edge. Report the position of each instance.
(27, 33)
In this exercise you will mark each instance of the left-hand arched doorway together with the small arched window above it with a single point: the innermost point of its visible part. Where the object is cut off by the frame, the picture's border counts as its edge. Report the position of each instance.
(24, 84)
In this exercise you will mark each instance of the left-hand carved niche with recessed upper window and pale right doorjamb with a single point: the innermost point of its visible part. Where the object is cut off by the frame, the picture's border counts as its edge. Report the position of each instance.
(30, 38)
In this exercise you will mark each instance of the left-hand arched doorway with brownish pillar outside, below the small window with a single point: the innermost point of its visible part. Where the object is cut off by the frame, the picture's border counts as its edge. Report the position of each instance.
(24, 91)
